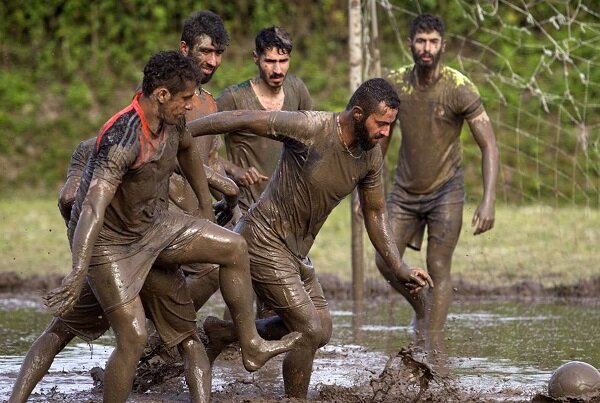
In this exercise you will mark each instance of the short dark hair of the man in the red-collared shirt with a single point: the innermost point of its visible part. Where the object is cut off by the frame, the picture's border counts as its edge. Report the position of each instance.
(170, 69)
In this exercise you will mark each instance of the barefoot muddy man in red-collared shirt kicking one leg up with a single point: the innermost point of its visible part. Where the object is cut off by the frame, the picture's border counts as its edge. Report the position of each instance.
(120, 225)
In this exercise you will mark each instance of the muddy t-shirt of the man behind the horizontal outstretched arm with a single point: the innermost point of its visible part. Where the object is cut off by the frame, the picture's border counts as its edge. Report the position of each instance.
(246, 149)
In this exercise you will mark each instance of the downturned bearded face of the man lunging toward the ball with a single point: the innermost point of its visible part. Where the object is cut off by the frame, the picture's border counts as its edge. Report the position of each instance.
(374, 127)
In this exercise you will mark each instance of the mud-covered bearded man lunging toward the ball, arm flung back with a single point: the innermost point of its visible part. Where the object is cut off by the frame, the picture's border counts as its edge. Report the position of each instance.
(325, 157)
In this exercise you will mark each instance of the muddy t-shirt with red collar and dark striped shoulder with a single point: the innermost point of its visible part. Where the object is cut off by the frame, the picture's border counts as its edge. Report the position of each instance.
(128, 156)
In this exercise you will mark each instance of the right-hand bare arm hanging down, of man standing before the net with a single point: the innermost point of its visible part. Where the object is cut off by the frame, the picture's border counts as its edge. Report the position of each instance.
(483, 133)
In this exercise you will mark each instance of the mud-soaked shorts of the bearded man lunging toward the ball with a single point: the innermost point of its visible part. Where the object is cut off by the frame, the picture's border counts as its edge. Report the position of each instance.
(281, 280)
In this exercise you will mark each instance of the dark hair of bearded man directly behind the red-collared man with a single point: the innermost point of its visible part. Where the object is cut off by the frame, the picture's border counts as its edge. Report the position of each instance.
(204, 22)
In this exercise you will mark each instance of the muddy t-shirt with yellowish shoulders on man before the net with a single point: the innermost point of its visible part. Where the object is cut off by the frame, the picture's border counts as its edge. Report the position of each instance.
(431, 120)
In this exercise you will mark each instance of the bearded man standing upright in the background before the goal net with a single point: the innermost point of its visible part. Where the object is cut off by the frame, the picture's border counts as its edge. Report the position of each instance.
(428, 188)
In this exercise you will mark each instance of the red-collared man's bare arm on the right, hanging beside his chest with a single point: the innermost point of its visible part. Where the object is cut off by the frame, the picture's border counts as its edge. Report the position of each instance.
(190, 162)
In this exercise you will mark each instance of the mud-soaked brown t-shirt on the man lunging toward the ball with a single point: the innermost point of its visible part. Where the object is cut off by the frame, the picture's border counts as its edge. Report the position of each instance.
(314, 174)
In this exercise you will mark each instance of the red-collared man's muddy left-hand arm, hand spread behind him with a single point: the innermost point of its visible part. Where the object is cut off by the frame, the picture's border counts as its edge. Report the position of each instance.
(91, 219)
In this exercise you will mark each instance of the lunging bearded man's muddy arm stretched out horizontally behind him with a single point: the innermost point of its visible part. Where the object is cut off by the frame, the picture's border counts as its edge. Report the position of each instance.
(276, 125)
